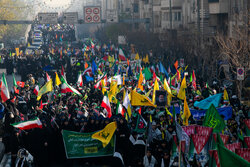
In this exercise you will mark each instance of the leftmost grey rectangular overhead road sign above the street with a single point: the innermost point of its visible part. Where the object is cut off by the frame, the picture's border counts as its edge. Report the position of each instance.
(48, 18)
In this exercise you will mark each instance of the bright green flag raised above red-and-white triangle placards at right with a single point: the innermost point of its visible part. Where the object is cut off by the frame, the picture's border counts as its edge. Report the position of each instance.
(213, 119)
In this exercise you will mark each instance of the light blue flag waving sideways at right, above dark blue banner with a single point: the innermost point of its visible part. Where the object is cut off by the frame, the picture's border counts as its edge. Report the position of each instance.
(205, 104)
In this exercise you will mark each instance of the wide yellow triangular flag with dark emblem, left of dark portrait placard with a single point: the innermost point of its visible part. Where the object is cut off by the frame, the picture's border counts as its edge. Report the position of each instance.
(140, 100)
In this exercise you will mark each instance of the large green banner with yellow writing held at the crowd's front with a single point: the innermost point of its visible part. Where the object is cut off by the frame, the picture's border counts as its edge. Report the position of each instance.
(81, 145)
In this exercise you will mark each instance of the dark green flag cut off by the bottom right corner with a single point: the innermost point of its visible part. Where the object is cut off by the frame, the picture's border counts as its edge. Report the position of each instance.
(228, 158)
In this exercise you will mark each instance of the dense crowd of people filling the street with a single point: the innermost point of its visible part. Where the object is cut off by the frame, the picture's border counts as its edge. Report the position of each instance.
(68, 111)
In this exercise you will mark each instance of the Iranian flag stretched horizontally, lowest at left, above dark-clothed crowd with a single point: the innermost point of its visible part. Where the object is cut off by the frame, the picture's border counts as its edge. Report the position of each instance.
(30, 124)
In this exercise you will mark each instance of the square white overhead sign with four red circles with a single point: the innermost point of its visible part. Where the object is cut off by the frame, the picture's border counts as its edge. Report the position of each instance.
(92, 14)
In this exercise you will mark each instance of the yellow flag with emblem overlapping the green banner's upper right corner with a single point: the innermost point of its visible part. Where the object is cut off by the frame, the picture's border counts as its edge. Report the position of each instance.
(106, 134)
